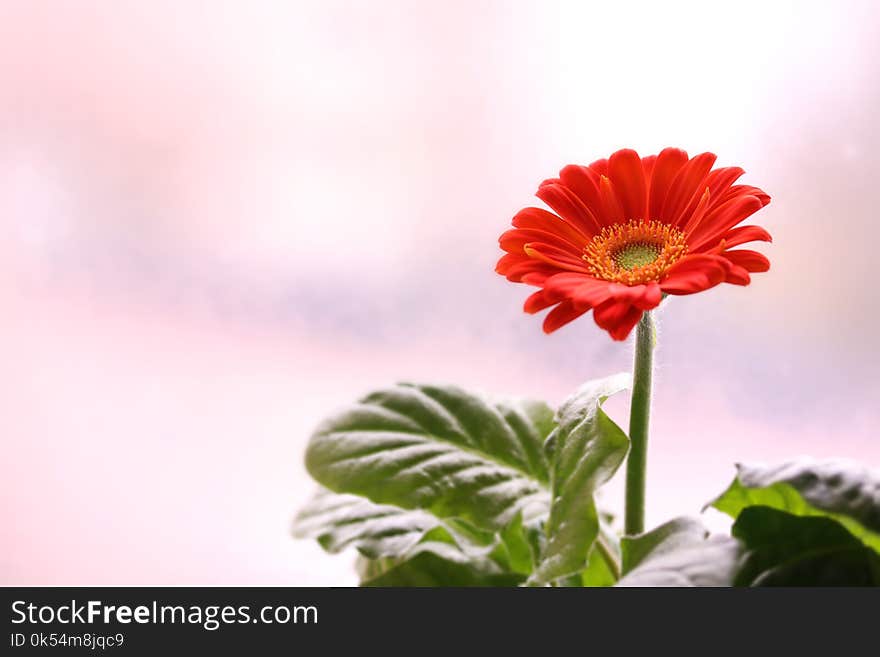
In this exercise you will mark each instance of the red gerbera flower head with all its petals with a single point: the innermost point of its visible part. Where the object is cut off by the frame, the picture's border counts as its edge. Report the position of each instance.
(629, 230)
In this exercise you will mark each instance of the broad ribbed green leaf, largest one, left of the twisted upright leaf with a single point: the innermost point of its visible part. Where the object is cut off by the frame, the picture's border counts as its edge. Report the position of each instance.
(441, 450)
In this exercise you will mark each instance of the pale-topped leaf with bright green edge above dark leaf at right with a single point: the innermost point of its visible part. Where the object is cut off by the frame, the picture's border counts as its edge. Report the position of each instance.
(844, 491)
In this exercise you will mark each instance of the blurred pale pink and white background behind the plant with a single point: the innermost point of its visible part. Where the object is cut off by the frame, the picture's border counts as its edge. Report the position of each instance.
(222, 220)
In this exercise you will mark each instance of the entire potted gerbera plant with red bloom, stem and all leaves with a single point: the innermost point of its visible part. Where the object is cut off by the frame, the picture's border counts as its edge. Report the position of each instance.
(438, 486)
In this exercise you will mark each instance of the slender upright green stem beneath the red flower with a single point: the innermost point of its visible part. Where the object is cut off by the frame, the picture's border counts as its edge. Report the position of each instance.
(639, 417)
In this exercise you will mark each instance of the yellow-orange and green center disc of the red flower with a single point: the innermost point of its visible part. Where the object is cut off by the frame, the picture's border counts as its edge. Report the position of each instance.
(635, 252)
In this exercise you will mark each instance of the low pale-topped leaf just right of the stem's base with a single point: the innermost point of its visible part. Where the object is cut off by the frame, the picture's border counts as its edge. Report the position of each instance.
(679, 553)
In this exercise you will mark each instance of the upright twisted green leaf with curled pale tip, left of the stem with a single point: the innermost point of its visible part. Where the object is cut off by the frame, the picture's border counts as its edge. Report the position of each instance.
(587, 448)
